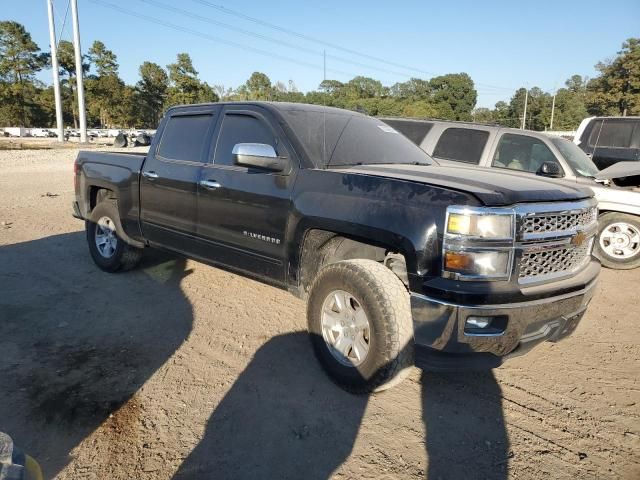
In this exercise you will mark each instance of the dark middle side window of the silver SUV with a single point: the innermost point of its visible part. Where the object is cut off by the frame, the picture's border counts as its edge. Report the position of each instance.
(461, 144)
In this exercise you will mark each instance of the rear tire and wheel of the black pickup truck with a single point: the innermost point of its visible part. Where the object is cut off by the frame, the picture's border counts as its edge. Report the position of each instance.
(108, 250)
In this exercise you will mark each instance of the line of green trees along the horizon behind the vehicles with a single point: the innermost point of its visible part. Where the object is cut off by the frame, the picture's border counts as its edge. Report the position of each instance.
(111, 103)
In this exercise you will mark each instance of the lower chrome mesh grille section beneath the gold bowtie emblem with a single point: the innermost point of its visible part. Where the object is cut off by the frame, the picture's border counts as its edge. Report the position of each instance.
(536, 265)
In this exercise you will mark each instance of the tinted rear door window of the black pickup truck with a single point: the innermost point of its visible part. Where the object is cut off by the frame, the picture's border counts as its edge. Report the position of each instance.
(184, 137)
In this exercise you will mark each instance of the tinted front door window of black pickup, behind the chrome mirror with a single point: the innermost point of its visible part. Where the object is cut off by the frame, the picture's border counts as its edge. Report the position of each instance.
(241, 128)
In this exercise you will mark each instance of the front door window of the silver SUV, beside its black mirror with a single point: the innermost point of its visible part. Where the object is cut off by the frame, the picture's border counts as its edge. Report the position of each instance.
(520, 152)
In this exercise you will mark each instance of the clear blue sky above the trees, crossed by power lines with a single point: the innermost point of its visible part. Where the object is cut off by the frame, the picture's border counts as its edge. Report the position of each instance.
(501, 44)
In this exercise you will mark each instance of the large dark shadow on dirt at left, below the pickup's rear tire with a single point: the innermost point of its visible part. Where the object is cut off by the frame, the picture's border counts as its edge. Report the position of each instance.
(77, 343)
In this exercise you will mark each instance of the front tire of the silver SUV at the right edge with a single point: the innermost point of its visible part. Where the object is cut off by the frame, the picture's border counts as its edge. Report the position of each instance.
(612, 222)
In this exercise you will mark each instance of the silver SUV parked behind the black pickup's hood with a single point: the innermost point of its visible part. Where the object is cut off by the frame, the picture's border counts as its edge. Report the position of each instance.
(536, 153)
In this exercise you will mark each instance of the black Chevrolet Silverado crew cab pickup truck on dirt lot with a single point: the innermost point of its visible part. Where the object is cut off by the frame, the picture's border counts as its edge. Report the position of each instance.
(402, 261)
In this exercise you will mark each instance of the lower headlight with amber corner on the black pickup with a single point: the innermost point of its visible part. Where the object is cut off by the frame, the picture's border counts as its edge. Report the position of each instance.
(486, 263)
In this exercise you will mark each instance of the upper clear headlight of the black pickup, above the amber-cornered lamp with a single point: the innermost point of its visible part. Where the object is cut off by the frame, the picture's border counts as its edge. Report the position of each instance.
(480, 225)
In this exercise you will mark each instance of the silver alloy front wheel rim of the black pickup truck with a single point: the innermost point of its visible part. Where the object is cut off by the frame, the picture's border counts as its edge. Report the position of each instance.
(345, 328)
